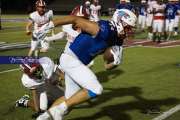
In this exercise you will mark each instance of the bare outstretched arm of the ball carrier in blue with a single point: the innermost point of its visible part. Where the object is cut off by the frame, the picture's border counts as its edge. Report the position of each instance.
(85, 25)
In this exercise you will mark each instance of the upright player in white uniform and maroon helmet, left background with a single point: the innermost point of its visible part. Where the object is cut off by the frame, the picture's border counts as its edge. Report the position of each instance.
(36, 20)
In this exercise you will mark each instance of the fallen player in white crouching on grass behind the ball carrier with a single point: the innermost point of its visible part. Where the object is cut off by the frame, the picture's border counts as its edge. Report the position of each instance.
(40, 77)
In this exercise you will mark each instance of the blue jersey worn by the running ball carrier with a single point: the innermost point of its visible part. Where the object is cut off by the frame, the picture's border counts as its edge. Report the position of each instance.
(87, 47)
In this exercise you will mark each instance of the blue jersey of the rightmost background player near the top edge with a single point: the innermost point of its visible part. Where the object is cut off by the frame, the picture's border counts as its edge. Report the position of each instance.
(170, 11)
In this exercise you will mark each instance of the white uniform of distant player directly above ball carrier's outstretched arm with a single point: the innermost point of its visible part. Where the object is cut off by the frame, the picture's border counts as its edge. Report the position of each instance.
(95, 10)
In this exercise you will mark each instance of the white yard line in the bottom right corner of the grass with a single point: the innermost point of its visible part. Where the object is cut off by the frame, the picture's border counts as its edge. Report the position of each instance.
(168, 113)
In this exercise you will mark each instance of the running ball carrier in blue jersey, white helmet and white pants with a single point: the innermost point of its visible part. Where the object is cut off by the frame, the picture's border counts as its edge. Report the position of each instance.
(81, 84)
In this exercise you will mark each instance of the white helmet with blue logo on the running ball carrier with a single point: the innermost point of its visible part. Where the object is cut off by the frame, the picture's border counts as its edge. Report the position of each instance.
(126, 16)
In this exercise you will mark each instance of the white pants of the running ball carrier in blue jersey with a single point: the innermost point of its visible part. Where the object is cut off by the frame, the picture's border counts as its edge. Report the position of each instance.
(78, 74)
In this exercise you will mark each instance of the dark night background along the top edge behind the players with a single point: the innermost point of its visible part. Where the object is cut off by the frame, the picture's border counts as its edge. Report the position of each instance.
(25, 6)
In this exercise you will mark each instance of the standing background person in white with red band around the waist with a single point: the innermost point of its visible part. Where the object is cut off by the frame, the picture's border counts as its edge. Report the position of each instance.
(158, 20)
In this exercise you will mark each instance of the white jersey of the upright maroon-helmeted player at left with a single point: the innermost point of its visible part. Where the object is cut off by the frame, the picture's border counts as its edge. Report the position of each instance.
(39, 20)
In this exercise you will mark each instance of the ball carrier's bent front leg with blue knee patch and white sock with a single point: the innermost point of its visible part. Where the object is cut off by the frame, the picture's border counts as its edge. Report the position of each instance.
(82, 76)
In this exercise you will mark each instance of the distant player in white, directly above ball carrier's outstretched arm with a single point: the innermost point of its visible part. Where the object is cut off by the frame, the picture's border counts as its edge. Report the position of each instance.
(95, 11)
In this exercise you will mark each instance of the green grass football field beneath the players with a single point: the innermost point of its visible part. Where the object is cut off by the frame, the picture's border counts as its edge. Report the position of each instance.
(147, 78)
